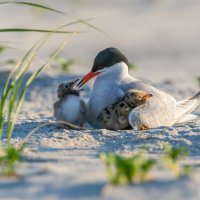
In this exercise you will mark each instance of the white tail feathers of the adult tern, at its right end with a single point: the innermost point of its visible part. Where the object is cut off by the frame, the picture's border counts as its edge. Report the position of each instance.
(185, 107)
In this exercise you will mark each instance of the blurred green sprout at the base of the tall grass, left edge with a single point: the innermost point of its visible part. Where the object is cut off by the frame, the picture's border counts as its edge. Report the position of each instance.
(10, 156)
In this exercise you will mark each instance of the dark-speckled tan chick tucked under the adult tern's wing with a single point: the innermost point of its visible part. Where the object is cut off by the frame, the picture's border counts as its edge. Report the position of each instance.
(115, 116)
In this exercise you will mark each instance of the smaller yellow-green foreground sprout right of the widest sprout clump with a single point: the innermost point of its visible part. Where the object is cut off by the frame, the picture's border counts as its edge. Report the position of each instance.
(172, 158)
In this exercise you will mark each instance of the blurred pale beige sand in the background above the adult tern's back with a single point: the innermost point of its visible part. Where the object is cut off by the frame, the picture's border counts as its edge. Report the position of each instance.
(160, 37)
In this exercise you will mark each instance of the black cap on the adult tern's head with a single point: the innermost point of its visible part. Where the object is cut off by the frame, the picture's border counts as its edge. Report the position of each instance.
(107, 58)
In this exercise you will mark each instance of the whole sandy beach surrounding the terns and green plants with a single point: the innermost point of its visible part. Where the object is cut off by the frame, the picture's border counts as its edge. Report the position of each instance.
(161, 38)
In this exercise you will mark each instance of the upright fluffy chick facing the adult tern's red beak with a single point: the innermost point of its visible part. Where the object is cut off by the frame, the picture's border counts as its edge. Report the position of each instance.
(70, 107)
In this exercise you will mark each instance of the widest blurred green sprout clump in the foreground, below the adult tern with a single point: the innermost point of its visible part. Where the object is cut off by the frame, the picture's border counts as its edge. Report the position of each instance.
(122, 170)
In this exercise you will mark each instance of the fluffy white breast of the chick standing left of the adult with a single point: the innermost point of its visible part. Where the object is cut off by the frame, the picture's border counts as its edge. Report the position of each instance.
(70, 108)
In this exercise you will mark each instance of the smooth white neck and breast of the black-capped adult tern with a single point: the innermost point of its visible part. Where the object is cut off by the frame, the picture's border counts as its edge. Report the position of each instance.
(106, 88)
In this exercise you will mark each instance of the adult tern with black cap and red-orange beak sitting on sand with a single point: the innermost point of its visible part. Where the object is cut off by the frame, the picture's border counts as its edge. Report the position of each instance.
(113, 81)
